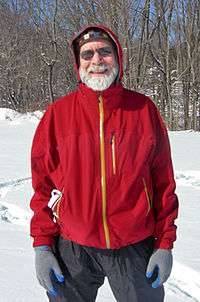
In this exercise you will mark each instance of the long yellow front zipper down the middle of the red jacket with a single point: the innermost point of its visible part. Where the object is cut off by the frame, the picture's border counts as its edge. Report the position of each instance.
(103, 172)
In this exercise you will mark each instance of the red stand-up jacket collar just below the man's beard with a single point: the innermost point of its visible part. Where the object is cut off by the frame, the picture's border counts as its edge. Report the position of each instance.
(112, 96)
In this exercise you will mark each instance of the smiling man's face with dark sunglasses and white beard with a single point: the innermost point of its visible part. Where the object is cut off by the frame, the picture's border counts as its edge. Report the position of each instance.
(98, 64)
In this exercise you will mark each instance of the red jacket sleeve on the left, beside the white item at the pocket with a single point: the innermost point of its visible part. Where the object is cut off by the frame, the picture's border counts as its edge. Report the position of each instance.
(44, 162)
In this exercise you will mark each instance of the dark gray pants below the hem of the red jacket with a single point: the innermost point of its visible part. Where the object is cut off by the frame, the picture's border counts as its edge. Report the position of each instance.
(85, 268)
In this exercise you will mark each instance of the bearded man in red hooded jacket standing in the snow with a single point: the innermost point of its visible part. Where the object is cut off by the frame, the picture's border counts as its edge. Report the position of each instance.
(102, 153)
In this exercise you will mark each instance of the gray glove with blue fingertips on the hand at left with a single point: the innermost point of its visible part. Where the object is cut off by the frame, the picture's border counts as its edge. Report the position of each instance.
(46, 264)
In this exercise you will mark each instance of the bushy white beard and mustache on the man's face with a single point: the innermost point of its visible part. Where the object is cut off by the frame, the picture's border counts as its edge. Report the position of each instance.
(99, 83)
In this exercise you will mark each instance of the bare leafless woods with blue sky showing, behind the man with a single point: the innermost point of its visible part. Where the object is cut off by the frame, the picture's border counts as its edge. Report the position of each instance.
(160, 39)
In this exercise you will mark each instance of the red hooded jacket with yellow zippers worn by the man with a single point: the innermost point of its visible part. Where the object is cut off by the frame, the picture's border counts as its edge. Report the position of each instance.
(108, 154)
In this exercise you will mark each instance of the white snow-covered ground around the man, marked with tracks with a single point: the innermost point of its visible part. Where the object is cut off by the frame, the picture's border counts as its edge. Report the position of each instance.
(17, 275)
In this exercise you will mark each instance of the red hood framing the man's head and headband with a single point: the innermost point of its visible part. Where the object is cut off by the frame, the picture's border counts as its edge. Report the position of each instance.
(113, 37)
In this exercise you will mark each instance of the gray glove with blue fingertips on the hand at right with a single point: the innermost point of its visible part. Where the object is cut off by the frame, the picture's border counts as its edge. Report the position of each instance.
(161, 260)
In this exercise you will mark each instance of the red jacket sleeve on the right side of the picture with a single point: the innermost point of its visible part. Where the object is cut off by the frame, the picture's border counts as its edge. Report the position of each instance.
(165, 201)
